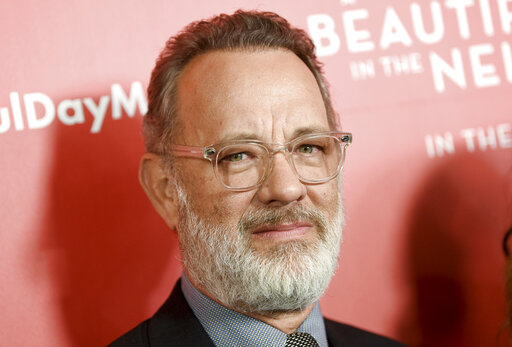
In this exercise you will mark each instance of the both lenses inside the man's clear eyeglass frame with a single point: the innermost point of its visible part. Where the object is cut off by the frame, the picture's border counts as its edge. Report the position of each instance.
(245, 165)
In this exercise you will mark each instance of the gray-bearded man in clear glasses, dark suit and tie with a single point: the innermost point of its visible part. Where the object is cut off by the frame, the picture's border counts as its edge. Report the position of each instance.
(243, 160)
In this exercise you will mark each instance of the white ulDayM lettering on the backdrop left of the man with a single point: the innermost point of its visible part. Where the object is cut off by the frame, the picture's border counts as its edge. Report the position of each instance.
(40, 109)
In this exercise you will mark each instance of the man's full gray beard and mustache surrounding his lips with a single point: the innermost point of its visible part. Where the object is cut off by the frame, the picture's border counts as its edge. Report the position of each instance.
(287, 277)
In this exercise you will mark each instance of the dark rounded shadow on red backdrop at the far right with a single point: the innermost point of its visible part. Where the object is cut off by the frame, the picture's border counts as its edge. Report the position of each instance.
(454, 262)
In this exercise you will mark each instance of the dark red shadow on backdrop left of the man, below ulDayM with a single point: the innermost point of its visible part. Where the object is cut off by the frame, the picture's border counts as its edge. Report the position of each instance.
(111, 251)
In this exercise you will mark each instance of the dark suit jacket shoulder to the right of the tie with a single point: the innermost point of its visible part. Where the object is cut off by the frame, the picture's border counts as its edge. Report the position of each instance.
(340, 334)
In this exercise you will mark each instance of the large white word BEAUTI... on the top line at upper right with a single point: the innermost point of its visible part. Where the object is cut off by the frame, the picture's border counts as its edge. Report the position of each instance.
(359, 38)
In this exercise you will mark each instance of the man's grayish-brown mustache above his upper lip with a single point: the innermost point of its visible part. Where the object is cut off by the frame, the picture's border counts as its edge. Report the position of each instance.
(252, 220)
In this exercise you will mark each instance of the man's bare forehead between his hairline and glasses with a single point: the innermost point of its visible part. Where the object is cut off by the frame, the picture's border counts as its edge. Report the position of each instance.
(266, 94)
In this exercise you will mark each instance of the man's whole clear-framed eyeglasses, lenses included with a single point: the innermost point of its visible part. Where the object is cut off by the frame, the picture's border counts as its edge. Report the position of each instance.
(244, 164)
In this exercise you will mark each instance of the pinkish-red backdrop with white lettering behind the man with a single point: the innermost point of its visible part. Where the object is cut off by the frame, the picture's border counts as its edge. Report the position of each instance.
(424, 86)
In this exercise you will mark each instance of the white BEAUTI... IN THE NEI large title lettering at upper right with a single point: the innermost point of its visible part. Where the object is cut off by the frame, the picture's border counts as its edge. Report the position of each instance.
(421, 24)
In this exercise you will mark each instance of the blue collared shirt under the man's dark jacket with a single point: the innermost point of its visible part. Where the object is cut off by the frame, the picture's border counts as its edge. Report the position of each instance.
(230, 328)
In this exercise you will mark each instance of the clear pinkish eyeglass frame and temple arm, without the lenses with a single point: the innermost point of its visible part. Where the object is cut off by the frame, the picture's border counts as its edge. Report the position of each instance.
(211, 153)
